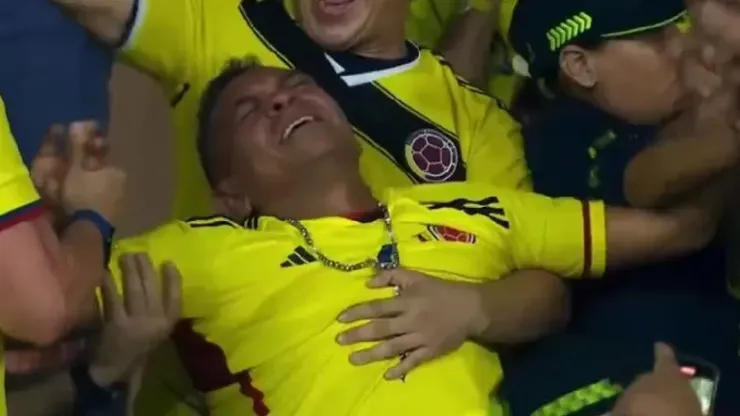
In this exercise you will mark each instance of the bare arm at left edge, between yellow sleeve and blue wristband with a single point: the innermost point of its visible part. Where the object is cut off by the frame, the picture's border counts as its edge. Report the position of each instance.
(41, 293)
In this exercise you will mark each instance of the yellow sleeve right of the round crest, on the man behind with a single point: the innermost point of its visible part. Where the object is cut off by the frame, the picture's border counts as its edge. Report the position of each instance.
(496, 148)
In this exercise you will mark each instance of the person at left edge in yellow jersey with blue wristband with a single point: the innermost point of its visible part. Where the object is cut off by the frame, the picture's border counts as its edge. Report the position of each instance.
(43, 293)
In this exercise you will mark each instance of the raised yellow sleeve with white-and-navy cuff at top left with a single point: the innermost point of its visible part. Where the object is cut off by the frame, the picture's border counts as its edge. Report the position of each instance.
(165, 39)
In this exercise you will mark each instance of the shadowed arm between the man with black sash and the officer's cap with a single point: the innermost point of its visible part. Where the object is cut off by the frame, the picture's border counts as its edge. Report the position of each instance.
(466, 44)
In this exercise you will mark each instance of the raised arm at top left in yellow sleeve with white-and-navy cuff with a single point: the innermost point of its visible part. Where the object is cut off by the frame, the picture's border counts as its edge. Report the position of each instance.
(160, 37)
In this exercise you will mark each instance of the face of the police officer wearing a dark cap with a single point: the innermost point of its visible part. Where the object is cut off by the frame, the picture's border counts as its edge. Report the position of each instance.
(639, 79)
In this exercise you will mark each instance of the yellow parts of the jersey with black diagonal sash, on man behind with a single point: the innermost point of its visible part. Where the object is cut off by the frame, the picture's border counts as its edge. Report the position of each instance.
(187, 42)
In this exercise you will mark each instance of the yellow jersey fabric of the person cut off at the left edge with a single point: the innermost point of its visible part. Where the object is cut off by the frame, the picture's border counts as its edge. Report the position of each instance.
(16, 193)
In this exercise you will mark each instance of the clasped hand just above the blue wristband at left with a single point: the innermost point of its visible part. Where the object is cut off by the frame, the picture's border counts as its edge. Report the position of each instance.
(91, 182)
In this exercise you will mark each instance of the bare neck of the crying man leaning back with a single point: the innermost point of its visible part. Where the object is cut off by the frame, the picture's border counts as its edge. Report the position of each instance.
(329, 191)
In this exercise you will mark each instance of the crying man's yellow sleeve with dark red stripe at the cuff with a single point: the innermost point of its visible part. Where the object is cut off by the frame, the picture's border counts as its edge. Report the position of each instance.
(563, 235)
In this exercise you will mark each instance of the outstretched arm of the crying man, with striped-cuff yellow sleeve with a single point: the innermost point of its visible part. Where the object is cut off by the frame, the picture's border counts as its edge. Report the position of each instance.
(582, 238)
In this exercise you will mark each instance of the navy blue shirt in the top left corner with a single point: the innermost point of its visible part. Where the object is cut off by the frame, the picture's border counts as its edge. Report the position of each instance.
(52, 71)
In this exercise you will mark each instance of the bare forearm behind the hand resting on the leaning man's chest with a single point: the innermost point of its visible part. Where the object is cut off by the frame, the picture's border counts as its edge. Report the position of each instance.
(521, 307)
